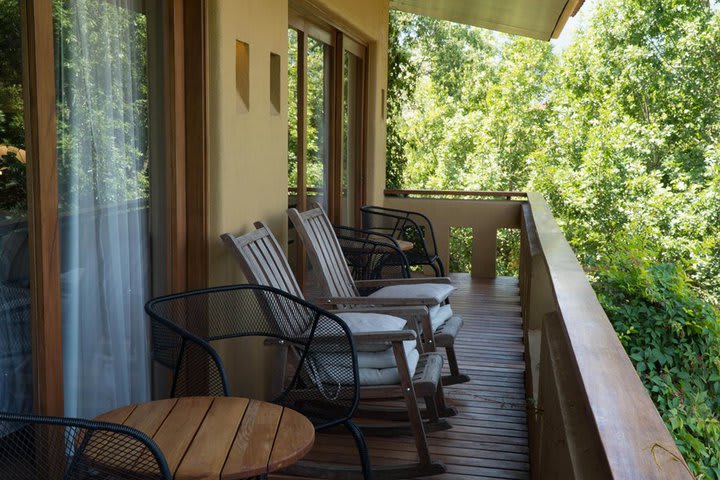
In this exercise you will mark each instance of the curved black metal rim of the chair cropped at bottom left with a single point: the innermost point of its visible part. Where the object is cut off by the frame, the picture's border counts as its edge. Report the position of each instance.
(93, 427)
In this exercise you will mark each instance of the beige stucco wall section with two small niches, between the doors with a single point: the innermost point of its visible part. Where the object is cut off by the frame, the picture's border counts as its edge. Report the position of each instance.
(247, 154)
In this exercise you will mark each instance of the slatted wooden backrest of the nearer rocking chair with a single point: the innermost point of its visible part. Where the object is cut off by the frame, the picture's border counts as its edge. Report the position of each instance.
(262, 260)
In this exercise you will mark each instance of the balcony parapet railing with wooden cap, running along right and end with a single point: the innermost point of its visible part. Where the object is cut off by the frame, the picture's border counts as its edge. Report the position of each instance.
(589, 415)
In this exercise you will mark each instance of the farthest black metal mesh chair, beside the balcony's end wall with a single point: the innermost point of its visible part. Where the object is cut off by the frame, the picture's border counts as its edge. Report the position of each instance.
(410, 226)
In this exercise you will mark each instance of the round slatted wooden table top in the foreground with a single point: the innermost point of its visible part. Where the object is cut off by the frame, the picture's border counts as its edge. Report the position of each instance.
(220, 437)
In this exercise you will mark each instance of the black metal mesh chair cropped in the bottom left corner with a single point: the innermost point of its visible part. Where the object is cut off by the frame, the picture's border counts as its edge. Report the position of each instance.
(34, 447)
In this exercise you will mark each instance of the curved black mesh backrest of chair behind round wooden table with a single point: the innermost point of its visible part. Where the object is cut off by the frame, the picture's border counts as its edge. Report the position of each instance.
(326, 373)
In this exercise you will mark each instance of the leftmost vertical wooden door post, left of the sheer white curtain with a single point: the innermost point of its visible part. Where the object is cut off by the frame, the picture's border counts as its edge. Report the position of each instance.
(43, 222)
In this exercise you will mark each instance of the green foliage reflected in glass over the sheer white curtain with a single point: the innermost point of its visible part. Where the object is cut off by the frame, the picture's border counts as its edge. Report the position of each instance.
(101, 66)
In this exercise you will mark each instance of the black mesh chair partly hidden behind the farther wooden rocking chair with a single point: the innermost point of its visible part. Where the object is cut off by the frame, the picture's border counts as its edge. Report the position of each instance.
(371, 255)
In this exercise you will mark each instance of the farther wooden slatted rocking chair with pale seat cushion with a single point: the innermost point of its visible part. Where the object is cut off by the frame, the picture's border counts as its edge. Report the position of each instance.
(339, 289)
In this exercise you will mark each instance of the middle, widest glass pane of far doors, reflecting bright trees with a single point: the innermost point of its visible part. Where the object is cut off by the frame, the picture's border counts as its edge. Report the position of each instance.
(319, 76)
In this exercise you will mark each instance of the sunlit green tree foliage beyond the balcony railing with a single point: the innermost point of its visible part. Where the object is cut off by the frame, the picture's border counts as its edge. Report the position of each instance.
(621, 133)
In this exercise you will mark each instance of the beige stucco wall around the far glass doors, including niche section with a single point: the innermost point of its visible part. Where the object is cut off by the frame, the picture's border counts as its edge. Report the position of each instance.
(247, 148)
